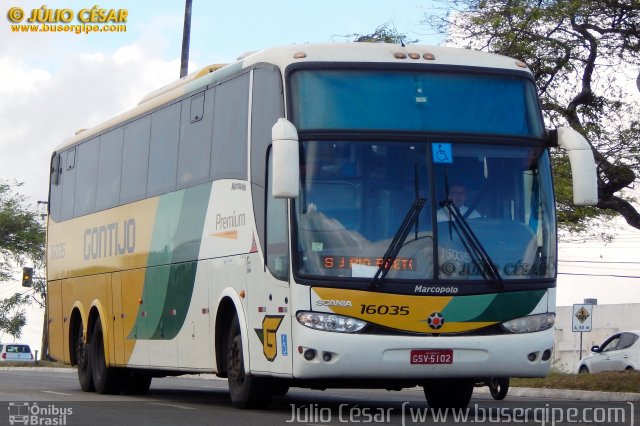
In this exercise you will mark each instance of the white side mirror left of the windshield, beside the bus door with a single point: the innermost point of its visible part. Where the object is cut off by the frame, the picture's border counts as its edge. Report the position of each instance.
(286, 160)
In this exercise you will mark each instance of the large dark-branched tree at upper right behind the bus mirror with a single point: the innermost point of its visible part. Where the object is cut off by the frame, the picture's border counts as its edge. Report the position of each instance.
(576, 51)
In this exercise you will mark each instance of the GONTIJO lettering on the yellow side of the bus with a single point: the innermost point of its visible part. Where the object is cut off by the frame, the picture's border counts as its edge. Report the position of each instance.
(113, 239)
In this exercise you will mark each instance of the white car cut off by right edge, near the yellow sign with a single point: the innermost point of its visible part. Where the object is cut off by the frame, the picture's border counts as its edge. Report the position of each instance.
(619, 352)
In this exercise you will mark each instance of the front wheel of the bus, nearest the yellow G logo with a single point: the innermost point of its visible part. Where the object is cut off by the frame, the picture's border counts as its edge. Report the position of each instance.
(246, 391)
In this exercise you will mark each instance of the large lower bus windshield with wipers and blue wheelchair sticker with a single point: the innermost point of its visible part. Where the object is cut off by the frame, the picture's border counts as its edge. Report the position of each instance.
(355, 195)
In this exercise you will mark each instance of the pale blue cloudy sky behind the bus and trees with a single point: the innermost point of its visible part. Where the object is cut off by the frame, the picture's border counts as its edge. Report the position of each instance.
(54, 83)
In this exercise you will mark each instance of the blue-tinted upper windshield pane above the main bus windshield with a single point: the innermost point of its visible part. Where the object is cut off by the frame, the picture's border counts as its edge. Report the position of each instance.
(469, 103)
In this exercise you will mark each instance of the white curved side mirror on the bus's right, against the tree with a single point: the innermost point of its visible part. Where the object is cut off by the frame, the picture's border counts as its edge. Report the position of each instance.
(583, 166)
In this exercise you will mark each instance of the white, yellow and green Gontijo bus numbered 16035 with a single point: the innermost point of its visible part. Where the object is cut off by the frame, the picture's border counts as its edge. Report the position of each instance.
(317, 216)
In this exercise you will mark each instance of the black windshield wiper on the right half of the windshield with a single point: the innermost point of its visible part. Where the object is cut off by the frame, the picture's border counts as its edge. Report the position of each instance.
(470, 241)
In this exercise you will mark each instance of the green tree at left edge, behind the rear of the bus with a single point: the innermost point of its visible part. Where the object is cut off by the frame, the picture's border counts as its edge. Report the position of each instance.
(22, 239)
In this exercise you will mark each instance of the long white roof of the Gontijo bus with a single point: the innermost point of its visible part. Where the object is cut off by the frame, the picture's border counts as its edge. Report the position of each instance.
(303, 53)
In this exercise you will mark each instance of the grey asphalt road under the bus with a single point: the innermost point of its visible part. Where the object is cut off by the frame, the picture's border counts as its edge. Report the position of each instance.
(46, 397)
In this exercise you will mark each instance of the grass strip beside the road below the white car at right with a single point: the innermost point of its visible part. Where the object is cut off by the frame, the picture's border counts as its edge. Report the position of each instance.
(611, 381)
